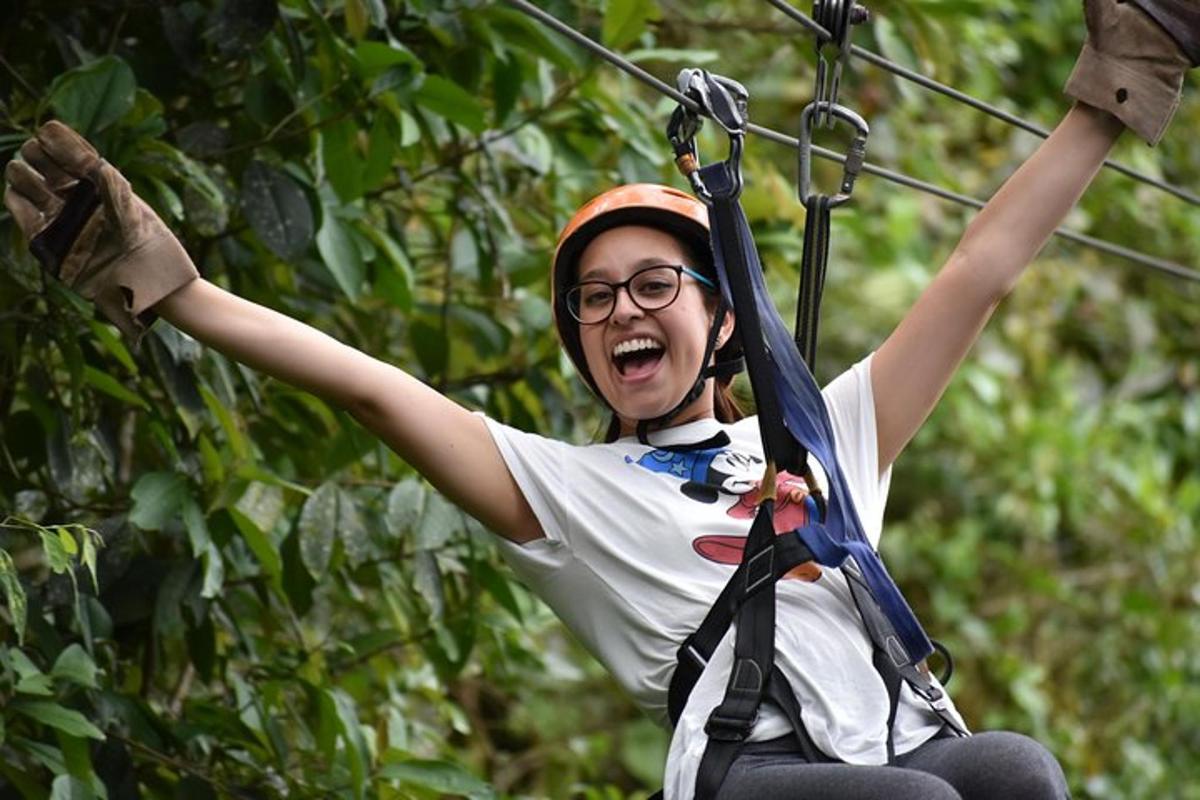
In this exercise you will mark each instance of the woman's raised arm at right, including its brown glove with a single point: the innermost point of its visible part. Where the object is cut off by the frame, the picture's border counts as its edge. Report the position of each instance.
(1129, 75)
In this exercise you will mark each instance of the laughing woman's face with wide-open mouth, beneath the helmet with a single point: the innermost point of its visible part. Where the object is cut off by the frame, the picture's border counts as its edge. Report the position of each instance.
(669, 342)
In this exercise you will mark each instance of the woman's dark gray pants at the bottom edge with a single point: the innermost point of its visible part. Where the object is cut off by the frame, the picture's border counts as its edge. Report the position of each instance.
(991, 766)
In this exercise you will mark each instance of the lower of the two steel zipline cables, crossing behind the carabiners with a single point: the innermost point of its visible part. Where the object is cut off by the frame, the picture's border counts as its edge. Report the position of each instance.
(596, 49)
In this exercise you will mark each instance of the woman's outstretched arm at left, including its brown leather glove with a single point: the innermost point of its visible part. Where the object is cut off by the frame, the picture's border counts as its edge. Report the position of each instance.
(88, 227)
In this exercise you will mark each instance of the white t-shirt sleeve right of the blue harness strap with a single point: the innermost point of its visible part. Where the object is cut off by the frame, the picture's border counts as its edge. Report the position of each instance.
(851, 404)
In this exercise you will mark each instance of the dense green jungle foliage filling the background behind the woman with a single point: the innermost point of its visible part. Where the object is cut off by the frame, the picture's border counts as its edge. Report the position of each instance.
(218, 587)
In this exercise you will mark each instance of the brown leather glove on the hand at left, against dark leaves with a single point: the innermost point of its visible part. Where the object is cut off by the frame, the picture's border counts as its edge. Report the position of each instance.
(91, 231)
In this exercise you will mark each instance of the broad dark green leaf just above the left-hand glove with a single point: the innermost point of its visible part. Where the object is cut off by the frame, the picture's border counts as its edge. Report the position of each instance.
(92, 98)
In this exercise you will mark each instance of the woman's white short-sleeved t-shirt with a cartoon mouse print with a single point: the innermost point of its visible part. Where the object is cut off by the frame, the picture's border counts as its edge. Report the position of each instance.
(640, 543)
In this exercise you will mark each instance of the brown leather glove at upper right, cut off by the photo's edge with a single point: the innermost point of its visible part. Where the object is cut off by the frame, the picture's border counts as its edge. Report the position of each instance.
(1135, 61)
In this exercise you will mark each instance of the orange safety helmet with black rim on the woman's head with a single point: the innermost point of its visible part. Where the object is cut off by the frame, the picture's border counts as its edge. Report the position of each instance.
(634, 204)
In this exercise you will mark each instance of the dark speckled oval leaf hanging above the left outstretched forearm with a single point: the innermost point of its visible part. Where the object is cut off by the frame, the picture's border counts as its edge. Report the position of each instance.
(278, 209)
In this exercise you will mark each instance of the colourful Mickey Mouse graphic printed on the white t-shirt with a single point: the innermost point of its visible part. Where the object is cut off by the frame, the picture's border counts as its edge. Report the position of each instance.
(707, 474)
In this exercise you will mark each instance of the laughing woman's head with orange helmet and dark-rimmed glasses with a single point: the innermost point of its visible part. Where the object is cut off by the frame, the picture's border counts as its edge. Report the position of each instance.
(615, 238)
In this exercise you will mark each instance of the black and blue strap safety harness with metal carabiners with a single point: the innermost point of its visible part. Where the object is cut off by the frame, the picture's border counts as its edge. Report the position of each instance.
(794, 424)
